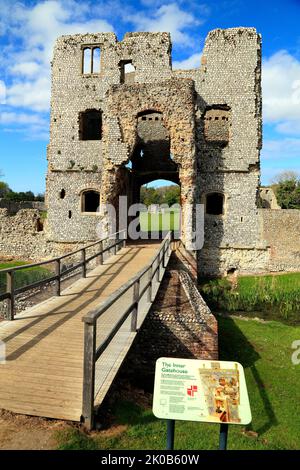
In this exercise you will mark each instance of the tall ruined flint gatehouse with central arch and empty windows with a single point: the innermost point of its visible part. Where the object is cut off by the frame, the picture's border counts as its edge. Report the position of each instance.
(122, 117)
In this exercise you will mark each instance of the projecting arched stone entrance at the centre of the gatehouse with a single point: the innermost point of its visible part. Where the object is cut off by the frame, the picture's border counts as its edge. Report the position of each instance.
(149, 134)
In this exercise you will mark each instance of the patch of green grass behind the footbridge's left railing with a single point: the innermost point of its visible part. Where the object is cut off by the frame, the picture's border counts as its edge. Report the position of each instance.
(23, 277)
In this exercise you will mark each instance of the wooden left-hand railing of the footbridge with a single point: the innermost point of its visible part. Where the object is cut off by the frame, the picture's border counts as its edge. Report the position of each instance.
(11, 291)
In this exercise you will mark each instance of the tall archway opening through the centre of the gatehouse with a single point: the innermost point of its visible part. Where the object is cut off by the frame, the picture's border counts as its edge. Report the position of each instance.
(151, 166)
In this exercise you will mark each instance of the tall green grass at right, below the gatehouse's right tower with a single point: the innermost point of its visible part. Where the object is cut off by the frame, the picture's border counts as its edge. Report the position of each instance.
(269, 297)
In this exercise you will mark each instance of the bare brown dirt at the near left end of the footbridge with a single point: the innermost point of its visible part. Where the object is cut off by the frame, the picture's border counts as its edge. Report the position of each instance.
(18, 432)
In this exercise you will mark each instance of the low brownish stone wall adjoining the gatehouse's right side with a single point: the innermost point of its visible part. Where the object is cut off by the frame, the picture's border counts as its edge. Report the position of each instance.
(281, 230)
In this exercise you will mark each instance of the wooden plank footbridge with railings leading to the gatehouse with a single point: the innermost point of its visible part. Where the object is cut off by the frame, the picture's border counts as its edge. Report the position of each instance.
(62, 355)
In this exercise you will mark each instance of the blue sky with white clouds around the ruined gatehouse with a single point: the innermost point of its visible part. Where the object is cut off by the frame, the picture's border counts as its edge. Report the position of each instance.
(28, 30)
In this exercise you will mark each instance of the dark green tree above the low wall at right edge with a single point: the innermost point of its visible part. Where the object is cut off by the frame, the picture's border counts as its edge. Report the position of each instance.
(287, 190)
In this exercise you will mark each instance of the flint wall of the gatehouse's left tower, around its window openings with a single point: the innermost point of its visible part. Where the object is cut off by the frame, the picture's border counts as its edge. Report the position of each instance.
(72, 93)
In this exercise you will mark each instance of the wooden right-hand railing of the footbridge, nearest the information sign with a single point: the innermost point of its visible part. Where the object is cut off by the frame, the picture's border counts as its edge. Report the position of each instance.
(93, 351)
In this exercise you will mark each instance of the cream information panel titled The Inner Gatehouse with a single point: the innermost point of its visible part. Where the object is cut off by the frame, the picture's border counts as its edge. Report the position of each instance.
(198, 390)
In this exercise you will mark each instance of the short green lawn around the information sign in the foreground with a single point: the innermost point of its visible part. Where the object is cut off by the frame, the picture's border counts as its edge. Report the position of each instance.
(264, 349)
